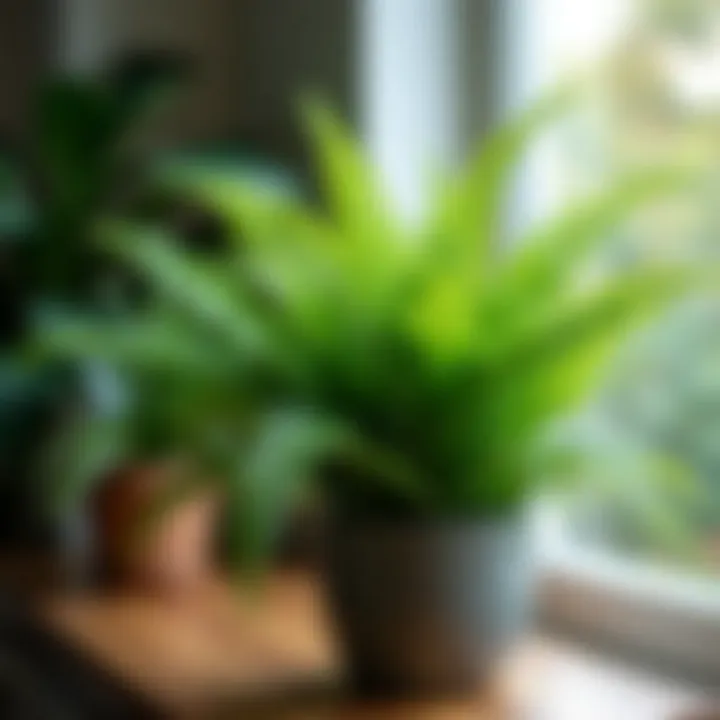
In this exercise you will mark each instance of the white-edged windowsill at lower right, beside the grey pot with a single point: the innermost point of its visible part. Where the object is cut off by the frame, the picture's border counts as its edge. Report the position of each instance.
(670, 621)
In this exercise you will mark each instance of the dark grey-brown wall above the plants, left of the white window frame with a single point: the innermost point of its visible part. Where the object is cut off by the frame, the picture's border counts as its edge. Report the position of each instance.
(254, 58)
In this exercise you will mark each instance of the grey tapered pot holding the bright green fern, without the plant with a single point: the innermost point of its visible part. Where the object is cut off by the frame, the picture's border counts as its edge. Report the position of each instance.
(427, 608)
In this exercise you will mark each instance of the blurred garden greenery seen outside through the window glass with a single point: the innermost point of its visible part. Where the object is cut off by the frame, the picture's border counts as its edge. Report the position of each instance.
(659, 100)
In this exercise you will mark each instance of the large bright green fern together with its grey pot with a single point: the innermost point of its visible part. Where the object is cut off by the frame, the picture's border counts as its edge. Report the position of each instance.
(414, 375)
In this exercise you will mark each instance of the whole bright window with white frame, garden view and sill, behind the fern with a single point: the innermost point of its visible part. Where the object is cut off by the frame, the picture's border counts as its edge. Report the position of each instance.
(639, 567)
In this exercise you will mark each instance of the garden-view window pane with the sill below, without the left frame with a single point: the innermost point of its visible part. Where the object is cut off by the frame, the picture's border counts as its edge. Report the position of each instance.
(637, 558)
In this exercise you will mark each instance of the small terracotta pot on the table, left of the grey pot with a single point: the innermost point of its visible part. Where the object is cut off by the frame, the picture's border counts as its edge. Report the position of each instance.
(171, 553)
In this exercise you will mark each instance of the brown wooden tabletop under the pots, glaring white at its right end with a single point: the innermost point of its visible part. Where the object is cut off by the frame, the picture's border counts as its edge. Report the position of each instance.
(222, 654)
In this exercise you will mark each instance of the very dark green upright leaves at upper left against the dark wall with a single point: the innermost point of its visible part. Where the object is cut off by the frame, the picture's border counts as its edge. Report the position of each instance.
(82, 162)
